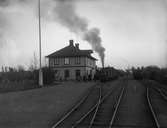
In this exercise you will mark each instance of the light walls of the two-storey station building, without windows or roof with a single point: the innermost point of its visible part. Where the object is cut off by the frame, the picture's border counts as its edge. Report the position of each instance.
(86, 67)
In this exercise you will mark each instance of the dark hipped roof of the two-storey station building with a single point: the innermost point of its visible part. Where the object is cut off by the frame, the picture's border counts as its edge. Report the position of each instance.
(71, 51)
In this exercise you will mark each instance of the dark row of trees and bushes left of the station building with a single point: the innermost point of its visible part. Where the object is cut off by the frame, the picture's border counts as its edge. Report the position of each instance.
(12, 74)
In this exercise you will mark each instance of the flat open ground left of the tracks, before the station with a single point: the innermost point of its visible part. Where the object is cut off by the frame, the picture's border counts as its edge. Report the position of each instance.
(39, 108)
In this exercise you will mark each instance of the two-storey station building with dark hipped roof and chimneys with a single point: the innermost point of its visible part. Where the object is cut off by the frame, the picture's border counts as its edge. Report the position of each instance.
(70, 63)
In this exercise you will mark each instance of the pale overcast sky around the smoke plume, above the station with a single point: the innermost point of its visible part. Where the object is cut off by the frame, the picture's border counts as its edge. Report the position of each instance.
(133, 32)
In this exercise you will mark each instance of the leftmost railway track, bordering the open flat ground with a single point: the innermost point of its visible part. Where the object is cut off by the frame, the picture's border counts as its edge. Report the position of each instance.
(80, 108)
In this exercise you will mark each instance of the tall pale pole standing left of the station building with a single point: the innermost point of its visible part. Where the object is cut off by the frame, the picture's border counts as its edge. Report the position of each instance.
(40, 63)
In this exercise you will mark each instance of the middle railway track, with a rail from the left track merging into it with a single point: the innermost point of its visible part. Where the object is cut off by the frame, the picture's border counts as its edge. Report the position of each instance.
(101, 115)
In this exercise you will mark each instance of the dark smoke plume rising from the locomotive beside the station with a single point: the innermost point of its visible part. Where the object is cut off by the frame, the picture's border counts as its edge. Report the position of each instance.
(65, 14)
